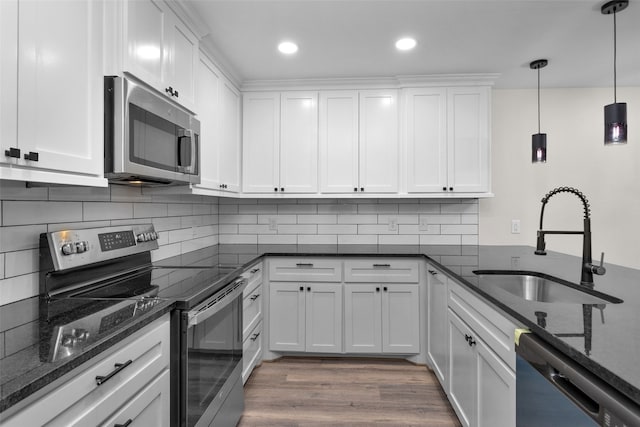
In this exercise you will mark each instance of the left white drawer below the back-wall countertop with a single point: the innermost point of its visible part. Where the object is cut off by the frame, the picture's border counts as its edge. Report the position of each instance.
(305, 270)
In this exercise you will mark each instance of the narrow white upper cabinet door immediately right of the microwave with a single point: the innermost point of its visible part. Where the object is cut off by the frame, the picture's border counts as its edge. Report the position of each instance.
(207, 97)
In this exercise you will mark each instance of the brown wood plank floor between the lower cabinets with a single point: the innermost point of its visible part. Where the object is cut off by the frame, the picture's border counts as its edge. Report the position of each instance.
(297, 392)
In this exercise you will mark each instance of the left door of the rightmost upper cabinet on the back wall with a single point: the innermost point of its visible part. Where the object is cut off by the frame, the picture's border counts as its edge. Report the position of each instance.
(426, 134)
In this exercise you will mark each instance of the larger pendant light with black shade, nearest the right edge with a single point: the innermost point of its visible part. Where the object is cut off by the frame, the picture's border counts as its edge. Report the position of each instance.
(615, 115)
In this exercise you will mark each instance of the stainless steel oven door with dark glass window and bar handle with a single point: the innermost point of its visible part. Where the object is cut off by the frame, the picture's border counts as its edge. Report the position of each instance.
(212, 359)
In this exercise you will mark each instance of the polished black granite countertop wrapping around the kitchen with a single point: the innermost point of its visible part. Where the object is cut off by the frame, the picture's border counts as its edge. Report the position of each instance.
(610, 355)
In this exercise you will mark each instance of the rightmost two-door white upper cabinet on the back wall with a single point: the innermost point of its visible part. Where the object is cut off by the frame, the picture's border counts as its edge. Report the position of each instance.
(447, 140)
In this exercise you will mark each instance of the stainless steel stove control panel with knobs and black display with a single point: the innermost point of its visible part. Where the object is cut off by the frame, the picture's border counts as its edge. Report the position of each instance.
(77, 248)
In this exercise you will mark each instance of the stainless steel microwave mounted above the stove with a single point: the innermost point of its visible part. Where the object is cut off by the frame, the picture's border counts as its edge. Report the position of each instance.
(149, 140)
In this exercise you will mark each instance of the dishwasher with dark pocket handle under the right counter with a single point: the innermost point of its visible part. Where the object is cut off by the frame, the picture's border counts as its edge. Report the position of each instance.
(554, 391)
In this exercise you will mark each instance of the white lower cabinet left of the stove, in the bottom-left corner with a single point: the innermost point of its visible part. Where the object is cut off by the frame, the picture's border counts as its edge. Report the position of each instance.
(138, 391)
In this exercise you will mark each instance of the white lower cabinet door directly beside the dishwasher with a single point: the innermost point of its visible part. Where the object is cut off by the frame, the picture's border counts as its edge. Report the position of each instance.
(496, 404)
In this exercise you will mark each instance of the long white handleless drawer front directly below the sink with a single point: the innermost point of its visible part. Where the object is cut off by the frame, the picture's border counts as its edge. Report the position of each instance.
(493, 328)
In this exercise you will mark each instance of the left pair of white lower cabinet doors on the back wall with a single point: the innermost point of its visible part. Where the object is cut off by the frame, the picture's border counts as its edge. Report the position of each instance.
(305, 317)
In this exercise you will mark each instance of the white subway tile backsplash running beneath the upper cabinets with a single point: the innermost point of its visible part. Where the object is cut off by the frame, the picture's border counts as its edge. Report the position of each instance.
(186, 223)
